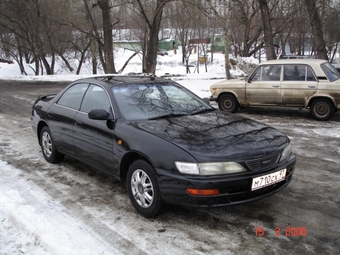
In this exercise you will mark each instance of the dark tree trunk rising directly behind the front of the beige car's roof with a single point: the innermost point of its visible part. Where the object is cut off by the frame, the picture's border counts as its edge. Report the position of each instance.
(267, 28)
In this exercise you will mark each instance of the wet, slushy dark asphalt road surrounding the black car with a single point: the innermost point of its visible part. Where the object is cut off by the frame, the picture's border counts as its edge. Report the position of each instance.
(304, 218)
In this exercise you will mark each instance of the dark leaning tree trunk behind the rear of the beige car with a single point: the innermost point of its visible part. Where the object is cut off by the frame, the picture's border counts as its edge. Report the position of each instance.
(314, 17)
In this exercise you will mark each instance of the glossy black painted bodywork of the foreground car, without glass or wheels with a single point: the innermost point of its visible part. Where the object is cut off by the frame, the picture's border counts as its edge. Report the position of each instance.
(112, 145)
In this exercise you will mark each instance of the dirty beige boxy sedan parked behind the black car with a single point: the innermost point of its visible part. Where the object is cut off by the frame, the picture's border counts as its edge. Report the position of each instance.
(299, 83)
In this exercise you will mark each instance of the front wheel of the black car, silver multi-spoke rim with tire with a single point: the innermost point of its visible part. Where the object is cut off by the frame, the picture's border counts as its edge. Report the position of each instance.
(143, 189)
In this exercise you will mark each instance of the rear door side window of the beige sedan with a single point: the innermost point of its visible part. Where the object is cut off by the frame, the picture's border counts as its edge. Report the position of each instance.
(298, 73)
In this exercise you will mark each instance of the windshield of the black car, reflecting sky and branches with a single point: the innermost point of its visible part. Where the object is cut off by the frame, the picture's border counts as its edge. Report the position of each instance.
(157, 100)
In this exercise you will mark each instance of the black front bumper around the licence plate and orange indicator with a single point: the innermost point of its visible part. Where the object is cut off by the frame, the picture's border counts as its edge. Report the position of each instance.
(234, 189)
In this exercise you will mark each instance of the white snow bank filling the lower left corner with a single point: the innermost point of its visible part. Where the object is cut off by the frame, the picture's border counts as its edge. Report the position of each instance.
(39, 221)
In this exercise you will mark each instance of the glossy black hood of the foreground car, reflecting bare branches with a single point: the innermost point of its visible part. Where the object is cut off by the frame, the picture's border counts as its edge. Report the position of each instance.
(217, 136)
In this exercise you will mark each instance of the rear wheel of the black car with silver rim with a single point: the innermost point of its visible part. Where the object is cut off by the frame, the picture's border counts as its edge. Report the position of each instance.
(48, 149)
